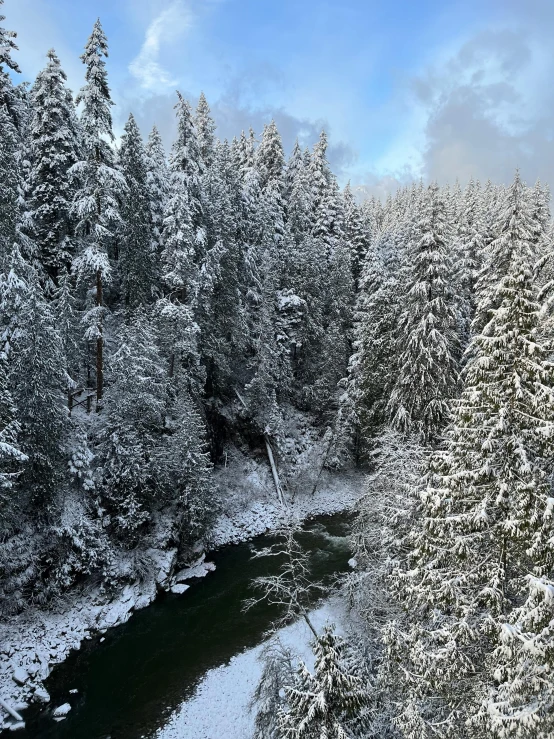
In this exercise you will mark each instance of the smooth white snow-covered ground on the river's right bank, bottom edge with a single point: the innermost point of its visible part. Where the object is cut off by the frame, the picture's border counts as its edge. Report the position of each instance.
(220, 706)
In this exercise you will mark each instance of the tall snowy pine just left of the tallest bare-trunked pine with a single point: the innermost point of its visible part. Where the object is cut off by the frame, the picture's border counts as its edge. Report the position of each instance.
(54, 145)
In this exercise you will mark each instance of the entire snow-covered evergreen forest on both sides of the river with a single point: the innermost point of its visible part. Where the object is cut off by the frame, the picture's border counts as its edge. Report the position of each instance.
(154, 309)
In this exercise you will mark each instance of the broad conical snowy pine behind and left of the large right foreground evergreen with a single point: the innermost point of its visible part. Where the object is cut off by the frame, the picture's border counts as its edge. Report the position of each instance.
(427, 336)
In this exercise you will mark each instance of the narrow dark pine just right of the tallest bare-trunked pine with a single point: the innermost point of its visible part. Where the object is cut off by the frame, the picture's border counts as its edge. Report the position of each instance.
(137, 259)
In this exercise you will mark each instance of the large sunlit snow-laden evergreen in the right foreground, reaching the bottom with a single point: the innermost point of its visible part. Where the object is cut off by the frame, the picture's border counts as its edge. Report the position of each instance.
(485, 521)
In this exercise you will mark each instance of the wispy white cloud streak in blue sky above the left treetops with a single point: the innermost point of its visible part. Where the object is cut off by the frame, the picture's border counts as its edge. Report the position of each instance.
(164, 30)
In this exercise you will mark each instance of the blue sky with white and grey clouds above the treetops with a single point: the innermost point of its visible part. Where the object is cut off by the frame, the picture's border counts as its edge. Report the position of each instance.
(437, 89)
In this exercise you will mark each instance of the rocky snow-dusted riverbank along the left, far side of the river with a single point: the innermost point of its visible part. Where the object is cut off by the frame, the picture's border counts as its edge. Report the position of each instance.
(34, 642)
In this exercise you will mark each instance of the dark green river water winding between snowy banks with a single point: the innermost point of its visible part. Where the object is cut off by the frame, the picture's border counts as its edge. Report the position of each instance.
(130, 683)
